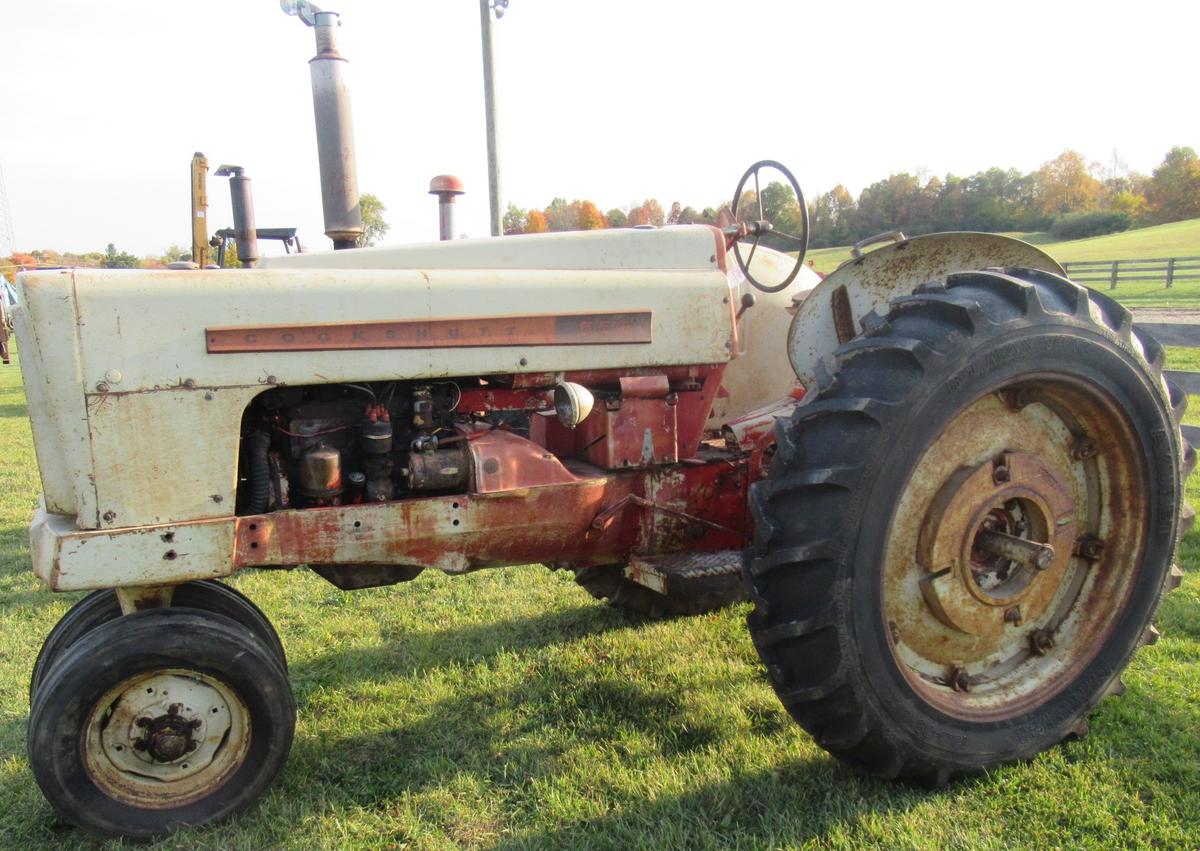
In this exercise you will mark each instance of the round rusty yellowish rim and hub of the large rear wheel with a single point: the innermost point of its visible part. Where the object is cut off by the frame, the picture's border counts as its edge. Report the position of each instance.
(1012, 549)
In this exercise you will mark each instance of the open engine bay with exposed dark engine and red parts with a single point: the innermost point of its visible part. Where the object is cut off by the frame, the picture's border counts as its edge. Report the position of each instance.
(368, 442)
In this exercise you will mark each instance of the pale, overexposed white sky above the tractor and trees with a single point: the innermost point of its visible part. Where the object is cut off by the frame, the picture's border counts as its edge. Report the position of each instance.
(104, 104)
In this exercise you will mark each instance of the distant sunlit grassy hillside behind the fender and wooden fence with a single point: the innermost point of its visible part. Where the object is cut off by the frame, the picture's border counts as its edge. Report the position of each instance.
(1178, 239)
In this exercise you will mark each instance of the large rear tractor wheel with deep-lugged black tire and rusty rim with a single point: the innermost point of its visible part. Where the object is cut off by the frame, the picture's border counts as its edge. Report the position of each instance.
(965, 535)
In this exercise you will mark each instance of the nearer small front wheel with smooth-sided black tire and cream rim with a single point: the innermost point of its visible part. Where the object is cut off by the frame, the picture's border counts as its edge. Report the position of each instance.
(160, 720)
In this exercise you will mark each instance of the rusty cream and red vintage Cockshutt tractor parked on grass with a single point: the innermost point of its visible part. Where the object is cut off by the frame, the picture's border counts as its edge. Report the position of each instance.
(949, 480)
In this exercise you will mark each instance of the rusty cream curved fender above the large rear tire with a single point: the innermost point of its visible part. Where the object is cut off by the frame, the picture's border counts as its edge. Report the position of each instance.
(833, 313)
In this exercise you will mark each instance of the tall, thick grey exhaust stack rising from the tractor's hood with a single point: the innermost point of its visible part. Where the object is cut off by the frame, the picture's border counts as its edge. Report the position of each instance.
(335, 129)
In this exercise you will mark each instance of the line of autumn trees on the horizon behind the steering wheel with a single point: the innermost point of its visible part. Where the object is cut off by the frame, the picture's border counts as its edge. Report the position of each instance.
(1069, 196)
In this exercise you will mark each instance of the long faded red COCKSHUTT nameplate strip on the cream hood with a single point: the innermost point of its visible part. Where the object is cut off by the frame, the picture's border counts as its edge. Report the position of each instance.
(565, 329)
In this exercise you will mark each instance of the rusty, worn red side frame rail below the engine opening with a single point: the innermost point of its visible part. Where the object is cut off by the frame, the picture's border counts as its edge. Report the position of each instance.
(543, 524)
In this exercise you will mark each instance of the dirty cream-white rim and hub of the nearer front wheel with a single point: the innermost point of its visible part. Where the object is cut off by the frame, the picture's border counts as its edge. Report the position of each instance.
(167, 738)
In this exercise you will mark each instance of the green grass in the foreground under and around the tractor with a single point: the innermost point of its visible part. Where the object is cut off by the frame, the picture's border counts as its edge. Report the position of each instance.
(509, 710)
